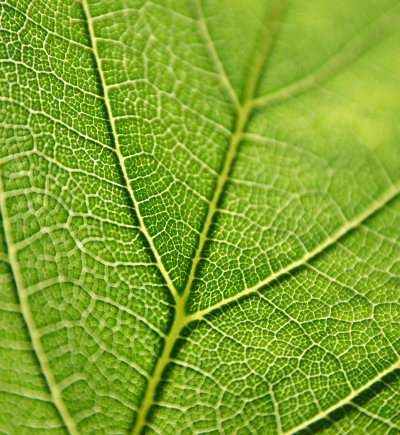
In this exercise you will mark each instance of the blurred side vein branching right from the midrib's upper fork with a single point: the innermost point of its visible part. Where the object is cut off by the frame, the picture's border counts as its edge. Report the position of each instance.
(375, 33)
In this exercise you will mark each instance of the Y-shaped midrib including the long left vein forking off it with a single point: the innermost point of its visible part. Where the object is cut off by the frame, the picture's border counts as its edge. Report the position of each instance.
(242, 117)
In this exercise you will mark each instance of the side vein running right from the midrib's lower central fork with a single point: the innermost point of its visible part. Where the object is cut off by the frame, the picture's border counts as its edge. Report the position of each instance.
(381, 202)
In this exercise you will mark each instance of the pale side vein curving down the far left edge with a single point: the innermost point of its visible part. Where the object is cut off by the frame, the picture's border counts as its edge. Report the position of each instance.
(36, 343)
